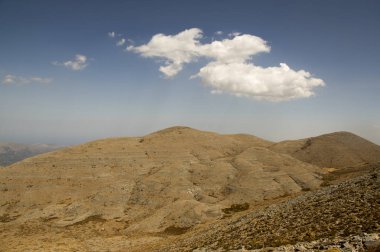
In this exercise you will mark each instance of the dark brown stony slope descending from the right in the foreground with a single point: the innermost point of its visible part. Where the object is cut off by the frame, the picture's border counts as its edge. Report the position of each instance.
(349, 208)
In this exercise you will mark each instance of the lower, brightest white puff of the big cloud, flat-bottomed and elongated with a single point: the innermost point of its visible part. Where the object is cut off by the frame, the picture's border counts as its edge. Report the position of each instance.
(278, 83)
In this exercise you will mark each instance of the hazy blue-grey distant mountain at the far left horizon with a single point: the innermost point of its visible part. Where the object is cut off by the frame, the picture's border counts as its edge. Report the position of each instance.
(12, 152)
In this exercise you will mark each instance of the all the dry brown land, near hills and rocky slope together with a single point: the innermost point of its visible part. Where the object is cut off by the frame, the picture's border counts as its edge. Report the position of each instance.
(182, 189)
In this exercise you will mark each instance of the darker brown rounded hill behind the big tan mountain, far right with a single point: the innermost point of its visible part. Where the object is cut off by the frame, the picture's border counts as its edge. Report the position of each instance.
(336, 150)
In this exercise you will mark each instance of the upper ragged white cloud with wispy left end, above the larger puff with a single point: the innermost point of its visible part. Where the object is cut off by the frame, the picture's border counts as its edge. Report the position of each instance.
(185, 47)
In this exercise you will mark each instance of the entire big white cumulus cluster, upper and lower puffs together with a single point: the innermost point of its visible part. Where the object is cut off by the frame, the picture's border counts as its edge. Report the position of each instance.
(230, 69)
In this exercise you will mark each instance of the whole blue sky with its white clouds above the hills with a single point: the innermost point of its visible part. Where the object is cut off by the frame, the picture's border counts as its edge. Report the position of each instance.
(75, 71)
